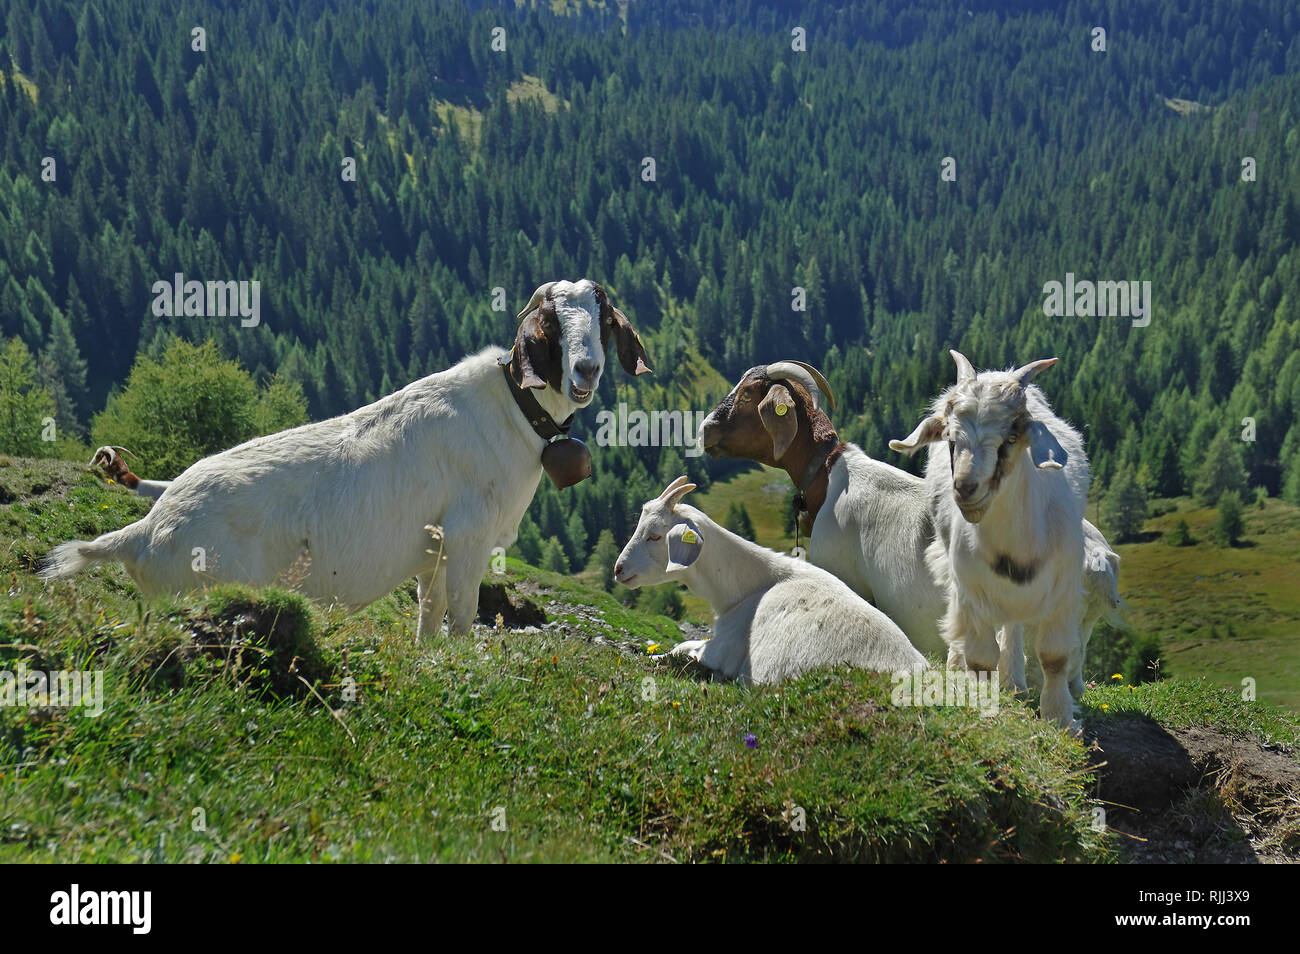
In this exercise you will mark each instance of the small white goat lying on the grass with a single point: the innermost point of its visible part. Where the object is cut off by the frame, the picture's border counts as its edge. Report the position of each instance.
(777, 617)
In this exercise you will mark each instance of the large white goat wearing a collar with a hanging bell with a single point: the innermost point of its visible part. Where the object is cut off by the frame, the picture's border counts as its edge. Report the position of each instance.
(348, 501)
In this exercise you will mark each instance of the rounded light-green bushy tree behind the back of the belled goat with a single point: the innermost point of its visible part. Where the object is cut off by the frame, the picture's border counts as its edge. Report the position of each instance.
(190, 404)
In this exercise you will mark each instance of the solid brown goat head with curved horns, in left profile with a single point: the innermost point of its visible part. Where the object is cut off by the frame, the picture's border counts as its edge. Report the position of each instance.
(765, 411)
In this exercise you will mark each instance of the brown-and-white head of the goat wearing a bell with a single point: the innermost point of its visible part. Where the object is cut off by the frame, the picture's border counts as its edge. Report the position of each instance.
(562, 337)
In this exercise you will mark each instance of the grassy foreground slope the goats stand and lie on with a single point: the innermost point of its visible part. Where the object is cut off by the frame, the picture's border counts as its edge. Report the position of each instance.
(228, 734)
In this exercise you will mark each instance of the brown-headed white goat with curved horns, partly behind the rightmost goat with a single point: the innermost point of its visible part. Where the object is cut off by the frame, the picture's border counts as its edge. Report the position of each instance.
(872, 522)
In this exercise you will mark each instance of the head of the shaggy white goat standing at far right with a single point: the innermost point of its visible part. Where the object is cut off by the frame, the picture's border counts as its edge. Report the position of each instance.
(987, 424)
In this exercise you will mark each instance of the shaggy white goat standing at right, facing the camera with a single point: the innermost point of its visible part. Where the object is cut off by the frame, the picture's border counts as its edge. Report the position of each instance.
(1008, 488)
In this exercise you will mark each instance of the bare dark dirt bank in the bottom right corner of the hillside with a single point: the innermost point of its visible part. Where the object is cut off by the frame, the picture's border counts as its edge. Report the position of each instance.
(1198, 795)
